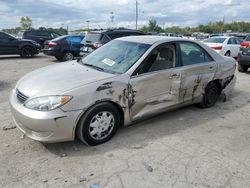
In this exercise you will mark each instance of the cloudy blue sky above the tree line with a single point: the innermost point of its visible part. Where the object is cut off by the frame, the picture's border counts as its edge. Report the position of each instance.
(77, 14)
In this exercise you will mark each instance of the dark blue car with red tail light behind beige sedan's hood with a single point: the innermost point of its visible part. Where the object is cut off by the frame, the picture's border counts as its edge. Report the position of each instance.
(64, 48)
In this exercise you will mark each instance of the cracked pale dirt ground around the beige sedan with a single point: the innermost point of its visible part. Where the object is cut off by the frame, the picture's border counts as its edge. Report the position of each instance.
(188, 147)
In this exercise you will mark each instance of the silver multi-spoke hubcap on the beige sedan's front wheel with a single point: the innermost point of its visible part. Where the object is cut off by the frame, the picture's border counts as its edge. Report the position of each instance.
(101, 125)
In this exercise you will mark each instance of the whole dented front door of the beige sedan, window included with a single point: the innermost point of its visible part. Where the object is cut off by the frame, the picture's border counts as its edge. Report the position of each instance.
(156, 82)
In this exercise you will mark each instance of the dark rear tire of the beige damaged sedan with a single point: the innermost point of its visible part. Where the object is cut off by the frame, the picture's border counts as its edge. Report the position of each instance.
(211, 95)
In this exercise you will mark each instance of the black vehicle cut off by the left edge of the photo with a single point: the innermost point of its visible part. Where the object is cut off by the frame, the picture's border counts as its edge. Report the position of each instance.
(11, 45)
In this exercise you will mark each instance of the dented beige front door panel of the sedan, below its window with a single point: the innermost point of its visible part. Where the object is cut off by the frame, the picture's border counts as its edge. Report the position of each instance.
(154, 92)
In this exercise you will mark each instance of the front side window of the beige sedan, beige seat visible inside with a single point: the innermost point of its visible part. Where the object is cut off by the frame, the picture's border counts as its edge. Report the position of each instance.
(160, 58)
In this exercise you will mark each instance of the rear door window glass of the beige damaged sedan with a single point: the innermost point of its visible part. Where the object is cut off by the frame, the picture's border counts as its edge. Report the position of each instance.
(193, 54)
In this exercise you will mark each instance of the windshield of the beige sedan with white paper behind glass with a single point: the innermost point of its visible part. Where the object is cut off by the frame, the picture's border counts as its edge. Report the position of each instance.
(116, 56)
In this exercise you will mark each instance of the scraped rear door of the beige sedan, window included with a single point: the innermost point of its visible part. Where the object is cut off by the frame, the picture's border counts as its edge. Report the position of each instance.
(198, 69)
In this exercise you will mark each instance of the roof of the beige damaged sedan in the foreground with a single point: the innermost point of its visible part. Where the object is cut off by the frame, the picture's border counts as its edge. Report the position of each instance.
(151, 39)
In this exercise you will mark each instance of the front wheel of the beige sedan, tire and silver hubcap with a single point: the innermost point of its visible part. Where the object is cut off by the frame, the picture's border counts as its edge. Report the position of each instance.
(99, 124)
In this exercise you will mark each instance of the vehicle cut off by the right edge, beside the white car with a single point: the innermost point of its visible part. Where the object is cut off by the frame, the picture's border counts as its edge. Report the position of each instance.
(244, 59)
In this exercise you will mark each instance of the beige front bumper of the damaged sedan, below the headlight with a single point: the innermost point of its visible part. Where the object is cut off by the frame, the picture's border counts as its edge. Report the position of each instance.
(49, 126)
